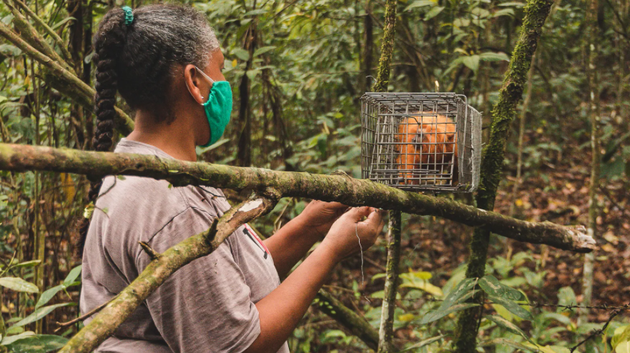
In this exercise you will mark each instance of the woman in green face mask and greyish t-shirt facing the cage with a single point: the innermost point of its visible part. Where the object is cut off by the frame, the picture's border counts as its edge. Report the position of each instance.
(166, 63)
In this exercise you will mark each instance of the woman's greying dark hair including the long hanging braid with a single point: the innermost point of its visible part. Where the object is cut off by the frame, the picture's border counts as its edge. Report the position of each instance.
(137, 60)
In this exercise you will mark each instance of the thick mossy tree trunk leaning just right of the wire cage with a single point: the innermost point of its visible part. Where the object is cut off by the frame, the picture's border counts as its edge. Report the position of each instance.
(503, 114)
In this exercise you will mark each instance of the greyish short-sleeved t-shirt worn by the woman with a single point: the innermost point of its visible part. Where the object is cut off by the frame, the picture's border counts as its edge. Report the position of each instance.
(207, 305)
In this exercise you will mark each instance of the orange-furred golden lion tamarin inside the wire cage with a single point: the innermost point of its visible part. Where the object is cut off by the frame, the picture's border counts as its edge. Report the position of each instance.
(428, 143)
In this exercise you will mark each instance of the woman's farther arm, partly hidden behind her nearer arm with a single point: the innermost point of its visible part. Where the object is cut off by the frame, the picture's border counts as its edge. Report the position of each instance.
(291, 242)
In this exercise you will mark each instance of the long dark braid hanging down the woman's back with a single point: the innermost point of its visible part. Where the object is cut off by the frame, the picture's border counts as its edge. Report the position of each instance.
(108, 43)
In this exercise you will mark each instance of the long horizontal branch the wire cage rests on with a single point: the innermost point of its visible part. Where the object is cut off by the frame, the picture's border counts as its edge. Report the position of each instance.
(353, 192)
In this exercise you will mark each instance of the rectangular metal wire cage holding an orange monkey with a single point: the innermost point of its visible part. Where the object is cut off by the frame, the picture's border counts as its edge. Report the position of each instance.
(420, 141)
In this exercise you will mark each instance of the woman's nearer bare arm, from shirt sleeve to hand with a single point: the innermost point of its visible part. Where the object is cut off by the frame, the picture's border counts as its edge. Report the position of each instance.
(282, 309)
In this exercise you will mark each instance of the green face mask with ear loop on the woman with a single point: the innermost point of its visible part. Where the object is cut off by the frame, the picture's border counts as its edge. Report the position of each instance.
(218, 107)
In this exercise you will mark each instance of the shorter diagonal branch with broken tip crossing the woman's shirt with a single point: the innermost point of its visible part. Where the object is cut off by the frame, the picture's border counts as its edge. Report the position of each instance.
(118, 310)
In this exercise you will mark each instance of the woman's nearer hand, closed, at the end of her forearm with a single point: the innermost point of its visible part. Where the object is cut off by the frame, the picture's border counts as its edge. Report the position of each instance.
(342, 237)
